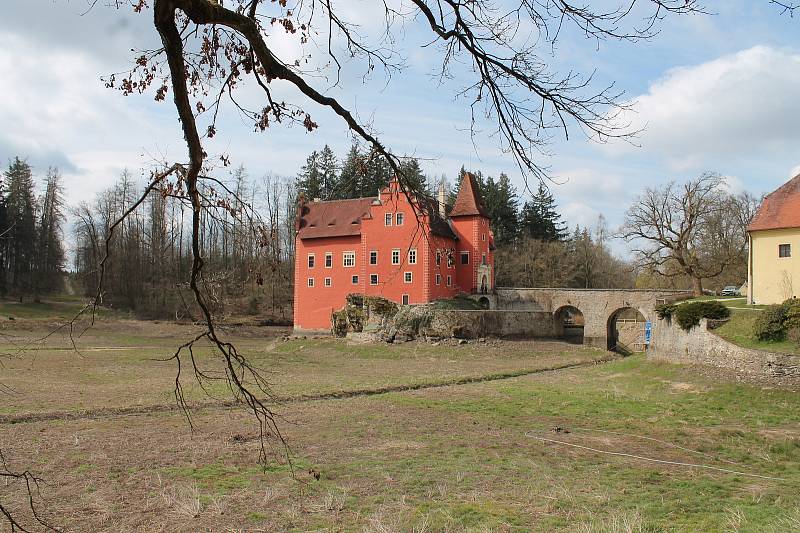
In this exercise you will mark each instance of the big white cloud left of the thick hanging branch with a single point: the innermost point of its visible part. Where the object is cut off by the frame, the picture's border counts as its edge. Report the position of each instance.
(56, 111)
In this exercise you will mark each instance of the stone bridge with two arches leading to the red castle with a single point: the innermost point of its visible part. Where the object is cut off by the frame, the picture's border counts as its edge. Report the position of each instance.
(603, 315)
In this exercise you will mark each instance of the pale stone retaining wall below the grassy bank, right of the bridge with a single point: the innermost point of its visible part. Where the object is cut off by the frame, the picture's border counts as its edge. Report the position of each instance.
(701, 346)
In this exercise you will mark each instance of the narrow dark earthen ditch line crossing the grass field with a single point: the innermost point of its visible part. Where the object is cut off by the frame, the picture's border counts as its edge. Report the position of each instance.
(335, 395)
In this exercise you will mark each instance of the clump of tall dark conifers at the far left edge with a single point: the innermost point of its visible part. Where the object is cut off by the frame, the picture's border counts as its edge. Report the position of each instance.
(32, 255)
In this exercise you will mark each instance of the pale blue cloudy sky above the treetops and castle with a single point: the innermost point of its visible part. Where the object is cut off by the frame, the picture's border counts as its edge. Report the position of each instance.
(717, 92)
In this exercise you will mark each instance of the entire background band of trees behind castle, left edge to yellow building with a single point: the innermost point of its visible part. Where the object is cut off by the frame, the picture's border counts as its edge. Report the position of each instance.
(247, 236)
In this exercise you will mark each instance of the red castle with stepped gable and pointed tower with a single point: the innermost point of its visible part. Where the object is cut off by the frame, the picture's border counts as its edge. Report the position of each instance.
(397, 246)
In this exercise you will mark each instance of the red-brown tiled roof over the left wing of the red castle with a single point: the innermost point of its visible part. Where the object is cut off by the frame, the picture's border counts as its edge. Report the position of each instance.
(334, 218)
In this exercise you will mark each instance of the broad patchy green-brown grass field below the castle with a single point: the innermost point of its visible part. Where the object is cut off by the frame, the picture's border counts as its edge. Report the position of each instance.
(100, 427)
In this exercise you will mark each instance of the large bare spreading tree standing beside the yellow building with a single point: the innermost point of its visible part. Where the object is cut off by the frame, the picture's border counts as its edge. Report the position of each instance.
(695, 230)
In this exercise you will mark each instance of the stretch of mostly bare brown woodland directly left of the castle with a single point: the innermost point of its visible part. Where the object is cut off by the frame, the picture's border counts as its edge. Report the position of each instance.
(246, 239)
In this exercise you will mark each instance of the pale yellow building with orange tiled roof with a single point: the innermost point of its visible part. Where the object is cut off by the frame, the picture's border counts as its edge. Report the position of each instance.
(773, 271)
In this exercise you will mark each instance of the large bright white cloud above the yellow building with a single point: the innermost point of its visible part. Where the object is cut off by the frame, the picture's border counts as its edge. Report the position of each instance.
(740, 103)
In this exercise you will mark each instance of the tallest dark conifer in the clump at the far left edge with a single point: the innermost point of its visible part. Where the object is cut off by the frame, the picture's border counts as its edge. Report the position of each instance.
(21, 241)
